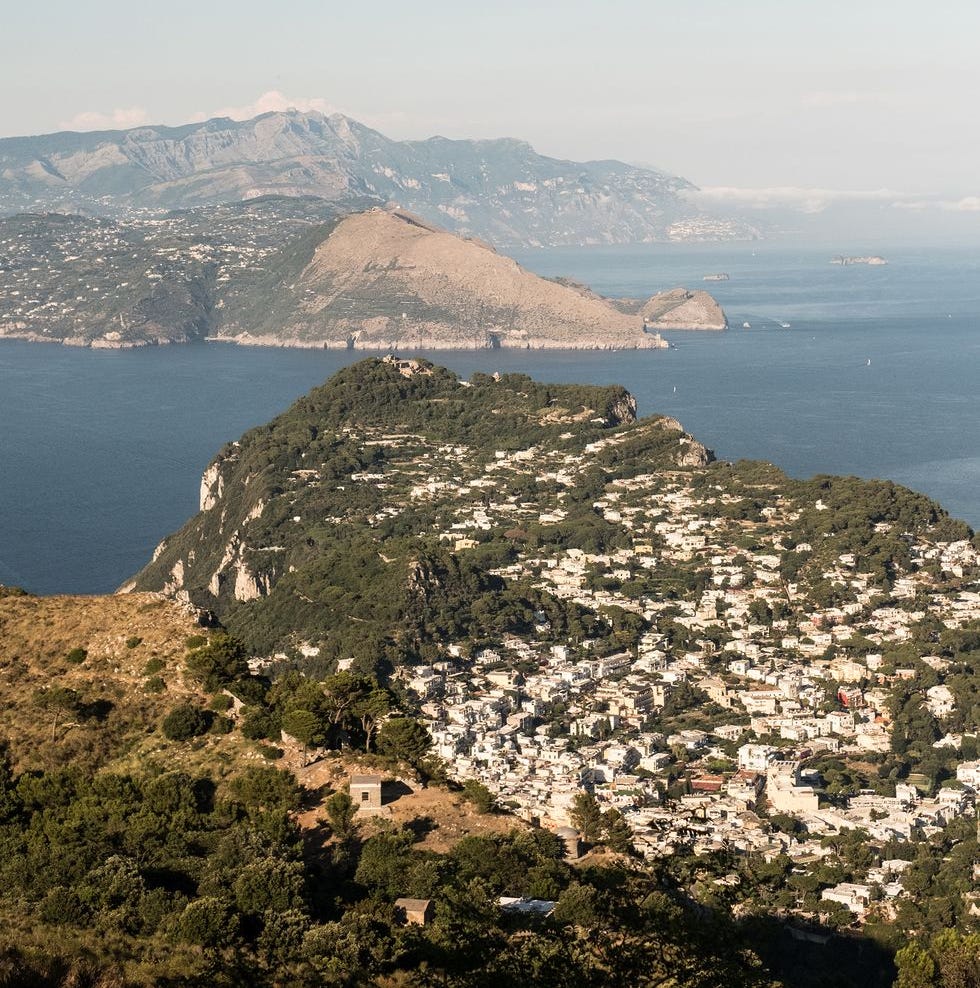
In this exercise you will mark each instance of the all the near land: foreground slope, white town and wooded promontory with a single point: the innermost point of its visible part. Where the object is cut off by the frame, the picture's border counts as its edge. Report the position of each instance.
(639, 716)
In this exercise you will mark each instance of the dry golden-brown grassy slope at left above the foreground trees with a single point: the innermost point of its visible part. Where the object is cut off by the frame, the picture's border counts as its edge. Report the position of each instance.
(132, 676)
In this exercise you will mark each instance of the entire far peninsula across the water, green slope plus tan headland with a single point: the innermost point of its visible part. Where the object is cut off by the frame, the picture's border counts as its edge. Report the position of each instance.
(291, 272)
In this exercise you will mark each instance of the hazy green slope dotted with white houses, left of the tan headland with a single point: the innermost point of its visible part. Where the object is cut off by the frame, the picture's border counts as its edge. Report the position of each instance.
(84, 281)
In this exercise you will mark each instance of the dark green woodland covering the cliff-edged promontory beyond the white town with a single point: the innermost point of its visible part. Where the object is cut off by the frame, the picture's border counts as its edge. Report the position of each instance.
(358, 567)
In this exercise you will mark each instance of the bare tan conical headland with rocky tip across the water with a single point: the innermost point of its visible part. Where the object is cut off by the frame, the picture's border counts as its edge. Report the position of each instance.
(385, 279)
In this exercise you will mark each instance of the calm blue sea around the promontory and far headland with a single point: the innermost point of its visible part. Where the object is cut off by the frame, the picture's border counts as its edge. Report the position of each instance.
(876, 374)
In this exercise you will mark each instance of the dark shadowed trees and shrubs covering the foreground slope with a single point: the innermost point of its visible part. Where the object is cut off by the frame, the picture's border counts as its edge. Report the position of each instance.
(164, 876)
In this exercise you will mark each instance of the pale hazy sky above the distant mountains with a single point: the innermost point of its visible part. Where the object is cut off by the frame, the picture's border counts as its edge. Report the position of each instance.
(795, 103)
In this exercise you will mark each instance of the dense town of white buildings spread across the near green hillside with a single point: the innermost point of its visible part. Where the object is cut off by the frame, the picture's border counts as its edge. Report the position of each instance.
(700, 742)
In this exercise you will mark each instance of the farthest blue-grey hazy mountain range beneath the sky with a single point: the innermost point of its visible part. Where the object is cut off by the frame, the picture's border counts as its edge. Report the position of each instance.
(500, 190)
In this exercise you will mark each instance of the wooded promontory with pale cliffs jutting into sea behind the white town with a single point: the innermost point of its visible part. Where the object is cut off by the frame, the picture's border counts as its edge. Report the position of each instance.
(373, 453)
